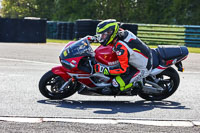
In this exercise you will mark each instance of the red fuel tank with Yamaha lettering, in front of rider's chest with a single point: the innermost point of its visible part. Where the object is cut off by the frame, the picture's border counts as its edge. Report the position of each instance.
(105, 55)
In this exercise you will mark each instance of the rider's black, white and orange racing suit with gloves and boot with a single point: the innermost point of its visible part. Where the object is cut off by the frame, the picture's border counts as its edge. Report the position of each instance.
(135, 61)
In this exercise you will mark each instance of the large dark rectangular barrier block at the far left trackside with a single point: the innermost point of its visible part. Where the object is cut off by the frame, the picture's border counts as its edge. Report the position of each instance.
(22, 30)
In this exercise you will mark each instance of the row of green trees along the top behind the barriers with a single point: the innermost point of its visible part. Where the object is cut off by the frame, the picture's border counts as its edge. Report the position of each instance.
(183, 12)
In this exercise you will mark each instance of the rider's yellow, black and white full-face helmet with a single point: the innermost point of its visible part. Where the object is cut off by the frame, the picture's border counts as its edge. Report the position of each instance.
(106, 31)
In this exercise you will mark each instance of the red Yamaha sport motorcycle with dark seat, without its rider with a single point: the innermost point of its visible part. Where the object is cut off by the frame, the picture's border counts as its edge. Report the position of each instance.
(76, 74)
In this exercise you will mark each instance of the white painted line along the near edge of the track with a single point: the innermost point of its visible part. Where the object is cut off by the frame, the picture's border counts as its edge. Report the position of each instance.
(176, 123)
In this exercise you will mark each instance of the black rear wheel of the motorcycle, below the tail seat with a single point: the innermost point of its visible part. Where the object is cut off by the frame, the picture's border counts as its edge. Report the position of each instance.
(168, 80)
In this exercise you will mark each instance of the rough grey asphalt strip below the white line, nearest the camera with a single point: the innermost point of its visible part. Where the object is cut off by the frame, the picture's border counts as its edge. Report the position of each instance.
(62, 127)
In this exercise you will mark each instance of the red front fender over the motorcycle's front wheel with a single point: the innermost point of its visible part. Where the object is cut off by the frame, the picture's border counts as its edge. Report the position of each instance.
(60, 70)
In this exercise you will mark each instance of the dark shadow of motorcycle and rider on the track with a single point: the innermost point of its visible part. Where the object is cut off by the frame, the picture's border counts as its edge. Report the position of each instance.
(114, 107)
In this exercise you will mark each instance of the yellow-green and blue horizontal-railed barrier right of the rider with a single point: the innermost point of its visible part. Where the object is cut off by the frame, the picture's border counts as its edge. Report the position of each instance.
(170, 34)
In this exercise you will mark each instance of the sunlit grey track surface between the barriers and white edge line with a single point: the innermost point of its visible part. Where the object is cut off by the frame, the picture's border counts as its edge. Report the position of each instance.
(22, 65)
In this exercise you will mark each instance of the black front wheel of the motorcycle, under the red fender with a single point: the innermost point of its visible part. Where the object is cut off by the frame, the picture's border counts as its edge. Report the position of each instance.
(50, 84)
